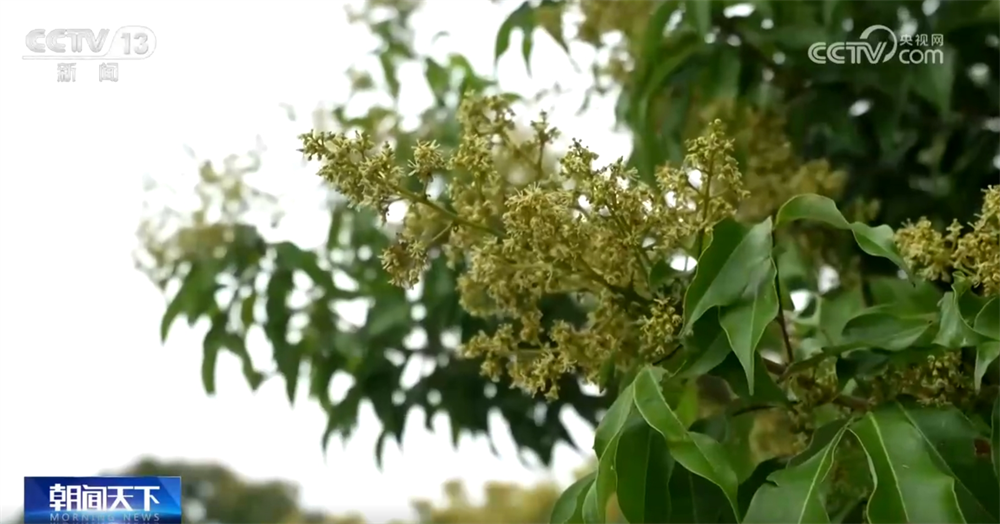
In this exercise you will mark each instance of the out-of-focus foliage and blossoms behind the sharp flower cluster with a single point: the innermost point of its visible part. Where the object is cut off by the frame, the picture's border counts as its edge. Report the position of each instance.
(889, 141)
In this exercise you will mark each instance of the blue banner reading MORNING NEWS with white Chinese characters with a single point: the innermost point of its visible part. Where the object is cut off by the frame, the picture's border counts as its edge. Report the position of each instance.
(102, 500)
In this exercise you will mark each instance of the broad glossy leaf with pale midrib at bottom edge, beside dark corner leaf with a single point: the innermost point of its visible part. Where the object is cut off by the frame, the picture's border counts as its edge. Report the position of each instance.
(909, 487)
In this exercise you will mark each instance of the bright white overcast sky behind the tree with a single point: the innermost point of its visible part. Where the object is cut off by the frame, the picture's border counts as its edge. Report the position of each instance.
(85, 385)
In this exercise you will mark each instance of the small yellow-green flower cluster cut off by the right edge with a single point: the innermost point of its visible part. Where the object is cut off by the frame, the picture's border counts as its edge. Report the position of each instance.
(973, 251)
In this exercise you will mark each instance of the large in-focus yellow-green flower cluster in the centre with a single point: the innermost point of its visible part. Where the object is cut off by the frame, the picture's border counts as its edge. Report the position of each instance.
(580, 230)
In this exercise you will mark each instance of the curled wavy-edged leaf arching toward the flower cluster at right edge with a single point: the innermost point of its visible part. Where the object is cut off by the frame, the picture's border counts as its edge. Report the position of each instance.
(876, 241)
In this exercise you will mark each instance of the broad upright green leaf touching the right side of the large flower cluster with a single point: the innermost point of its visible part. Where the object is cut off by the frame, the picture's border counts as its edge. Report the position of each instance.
(724, 269)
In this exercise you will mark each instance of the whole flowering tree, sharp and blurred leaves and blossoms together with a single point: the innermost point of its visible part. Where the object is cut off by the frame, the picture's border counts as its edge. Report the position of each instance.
(757, 175)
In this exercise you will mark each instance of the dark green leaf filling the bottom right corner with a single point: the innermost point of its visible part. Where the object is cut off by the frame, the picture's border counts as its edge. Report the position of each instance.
(954, 444)
